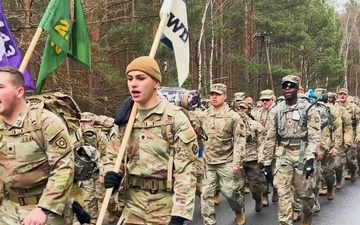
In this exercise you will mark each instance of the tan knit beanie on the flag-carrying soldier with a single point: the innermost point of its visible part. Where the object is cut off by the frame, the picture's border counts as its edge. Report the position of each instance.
(147, 65)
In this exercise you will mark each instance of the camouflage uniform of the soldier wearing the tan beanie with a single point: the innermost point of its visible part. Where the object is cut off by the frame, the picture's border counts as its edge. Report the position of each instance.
(150, 196)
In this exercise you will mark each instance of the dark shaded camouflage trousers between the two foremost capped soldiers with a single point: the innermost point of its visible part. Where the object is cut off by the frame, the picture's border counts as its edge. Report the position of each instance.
(255, 178)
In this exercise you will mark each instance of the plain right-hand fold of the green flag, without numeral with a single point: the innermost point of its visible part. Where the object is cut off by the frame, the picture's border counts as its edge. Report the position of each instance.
(80, 42)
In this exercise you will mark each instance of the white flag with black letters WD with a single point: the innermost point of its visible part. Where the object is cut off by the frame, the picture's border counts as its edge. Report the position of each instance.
(176, 35)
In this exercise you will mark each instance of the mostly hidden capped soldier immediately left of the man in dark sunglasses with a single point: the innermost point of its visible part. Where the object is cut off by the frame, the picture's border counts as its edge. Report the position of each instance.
(267, 99)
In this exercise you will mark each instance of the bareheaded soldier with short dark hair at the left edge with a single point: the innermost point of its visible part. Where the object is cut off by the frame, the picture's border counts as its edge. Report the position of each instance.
(36, 180)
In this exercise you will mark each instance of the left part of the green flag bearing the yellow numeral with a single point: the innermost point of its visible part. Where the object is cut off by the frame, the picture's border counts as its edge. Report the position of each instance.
(56, 21)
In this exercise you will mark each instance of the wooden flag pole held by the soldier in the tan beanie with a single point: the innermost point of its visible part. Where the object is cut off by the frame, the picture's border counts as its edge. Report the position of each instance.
(120, 156)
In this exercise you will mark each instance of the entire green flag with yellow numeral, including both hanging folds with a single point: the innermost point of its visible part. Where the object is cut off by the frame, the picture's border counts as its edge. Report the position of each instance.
(65, 39)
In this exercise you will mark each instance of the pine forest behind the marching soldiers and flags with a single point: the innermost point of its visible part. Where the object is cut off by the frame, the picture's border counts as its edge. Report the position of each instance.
(241, 43)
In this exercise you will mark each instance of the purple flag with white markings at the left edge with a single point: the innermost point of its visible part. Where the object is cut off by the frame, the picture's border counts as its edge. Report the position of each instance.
(9, 51)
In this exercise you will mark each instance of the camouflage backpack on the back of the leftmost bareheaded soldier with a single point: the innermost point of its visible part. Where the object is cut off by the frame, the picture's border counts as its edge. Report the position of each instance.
(61, 105)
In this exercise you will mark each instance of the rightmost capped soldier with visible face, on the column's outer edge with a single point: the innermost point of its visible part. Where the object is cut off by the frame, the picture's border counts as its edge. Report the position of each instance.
(347, 137)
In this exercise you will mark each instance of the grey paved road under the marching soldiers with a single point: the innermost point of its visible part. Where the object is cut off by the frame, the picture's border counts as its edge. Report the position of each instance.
(343, 210)
